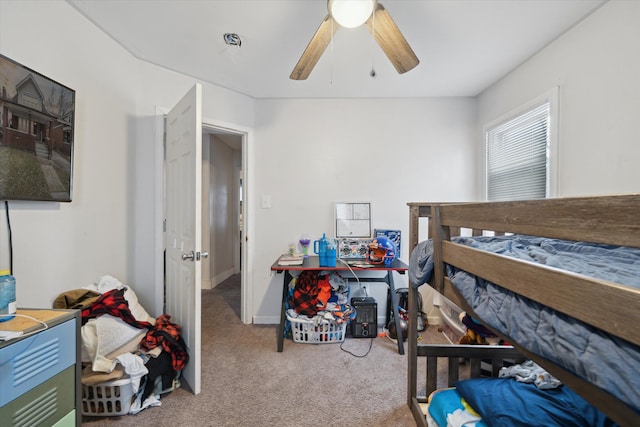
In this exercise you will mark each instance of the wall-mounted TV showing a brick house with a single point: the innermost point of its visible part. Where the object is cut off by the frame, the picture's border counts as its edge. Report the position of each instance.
(36, 135)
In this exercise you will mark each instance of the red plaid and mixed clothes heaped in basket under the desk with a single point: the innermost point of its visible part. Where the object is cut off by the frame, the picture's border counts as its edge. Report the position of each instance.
(320, 295)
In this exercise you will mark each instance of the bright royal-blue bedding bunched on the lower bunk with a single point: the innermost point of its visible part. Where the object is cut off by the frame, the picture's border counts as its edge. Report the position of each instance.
(510, 403)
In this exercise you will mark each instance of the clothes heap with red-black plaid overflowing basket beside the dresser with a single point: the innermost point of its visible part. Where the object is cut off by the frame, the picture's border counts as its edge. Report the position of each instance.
(121, 340)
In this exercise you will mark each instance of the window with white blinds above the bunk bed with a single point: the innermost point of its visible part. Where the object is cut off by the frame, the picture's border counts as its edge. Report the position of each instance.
(519, 153)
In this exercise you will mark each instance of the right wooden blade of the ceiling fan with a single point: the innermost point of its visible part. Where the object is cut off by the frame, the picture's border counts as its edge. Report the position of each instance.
(391, 40)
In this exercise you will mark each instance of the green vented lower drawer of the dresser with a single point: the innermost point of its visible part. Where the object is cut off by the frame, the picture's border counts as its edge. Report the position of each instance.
(45, 405)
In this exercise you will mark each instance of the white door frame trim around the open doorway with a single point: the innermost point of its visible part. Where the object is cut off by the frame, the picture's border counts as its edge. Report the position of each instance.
(246, 309)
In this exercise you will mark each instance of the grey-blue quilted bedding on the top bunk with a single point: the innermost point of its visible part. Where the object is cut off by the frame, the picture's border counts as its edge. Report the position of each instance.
(606, 361)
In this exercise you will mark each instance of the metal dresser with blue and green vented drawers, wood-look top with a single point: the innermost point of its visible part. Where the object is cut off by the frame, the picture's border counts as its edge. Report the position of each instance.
(40, 370)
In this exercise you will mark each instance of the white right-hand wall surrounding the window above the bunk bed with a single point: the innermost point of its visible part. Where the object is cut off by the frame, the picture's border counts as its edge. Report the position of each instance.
(596, 66)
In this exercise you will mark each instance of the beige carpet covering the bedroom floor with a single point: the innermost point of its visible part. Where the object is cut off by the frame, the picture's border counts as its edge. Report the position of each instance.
(246, 382)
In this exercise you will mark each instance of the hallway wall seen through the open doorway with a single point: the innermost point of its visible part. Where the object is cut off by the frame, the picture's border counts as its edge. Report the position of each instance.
(222, 215)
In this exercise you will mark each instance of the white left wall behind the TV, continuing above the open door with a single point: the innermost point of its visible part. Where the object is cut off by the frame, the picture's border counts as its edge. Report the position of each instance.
(111, 227)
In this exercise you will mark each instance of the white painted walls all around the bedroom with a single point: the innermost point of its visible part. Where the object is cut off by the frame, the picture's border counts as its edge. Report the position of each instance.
(305, 154)
